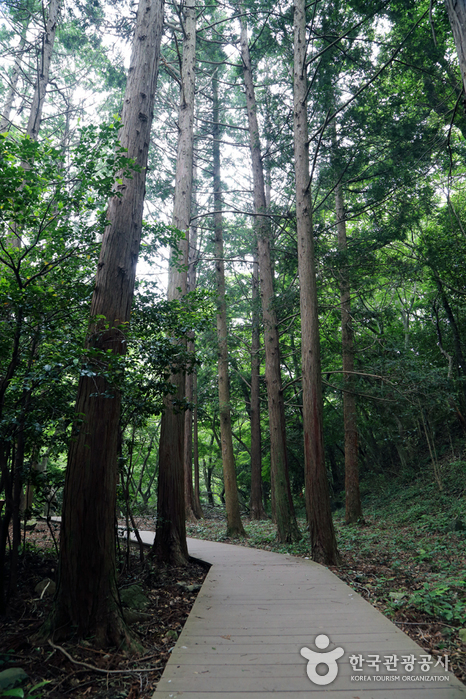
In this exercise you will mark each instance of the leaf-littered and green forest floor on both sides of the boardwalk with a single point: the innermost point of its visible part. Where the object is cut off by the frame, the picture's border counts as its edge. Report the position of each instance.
(407, 558)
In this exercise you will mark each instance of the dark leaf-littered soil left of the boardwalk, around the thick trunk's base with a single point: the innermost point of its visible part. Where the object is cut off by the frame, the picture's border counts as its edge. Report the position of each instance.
(171, 593)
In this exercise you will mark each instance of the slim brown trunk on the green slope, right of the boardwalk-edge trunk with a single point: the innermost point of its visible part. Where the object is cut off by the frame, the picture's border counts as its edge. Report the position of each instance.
(352, 497)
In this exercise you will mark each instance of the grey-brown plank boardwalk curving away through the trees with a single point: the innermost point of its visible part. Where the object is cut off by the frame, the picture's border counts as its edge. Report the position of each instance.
(257, 610)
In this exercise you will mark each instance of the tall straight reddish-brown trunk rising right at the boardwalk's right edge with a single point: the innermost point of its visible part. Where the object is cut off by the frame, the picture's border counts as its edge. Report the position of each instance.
(319, 516)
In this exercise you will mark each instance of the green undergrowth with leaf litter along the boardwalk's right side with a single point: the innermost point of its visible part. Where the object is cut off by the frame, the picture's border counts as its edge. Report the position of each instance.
(407, 557)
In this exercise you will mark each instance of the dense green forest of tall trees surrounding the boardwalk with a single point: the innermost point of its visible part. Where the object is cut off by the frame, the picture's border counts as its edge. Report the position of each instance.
(231, 298)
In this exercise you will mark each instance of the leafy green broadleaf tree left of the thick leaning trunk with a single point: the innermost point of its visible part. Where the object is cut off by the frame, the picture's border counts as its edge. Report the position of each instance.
(35, 198)
